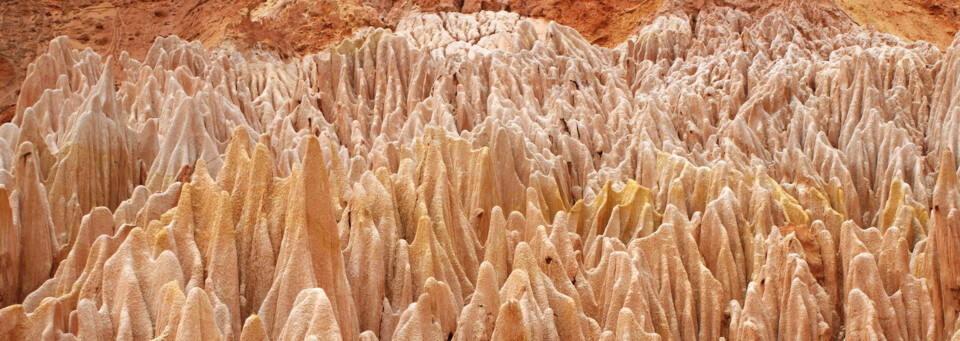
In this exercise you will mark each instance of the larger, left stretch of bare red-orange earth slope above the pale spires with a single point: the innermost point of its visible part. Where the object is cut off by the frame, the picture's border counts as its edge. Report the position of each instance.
(287, 27)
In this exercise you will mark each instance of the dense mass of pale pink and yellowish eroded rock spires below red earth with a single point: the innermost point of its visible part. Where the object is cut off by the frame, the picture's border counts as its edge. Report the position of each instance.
(486, 176)
